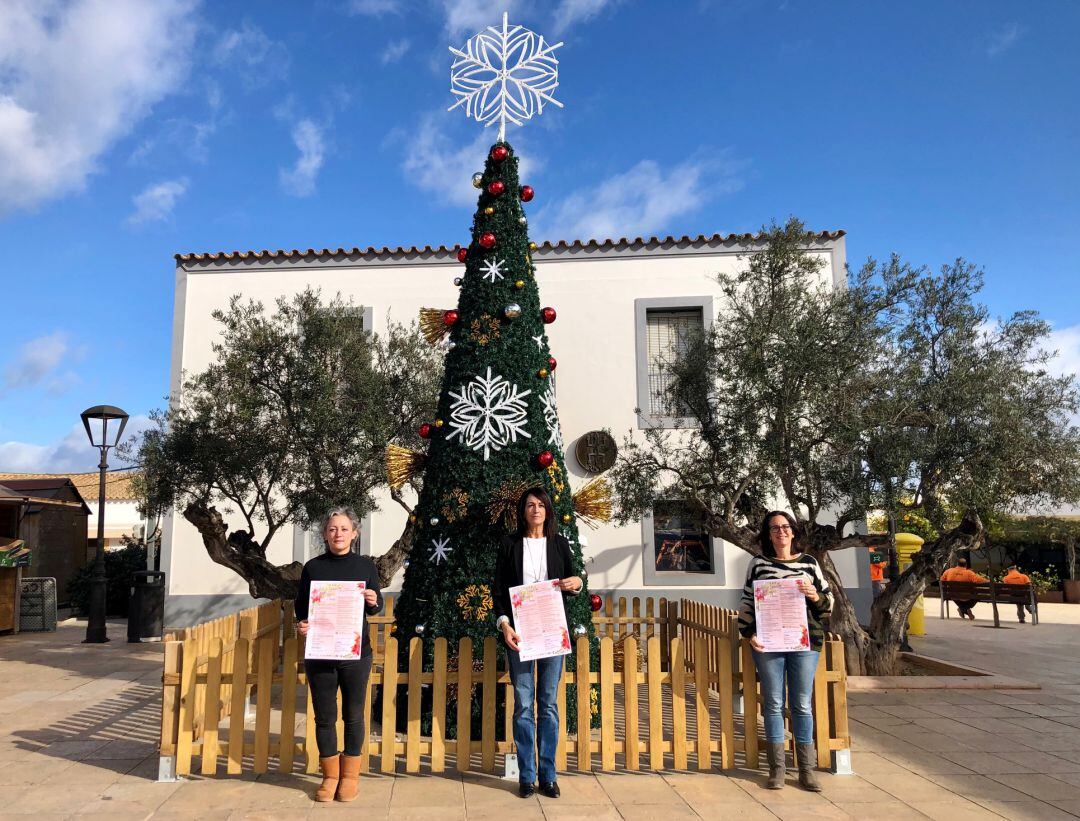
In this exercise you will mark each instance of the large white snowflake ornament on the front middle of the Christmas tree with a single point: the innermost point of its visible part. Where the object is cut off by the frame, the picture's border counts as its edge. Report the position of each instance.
(489, 414)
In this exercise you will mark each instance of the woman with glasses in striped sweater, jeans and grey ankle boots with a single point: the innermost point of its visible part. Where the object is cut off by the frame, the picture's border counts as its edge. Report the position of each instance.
(782, 559)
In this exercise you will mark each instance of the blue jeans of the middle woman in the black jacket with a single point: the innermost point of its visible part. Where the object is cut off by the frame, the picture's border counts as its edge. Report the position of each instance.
(545, 692)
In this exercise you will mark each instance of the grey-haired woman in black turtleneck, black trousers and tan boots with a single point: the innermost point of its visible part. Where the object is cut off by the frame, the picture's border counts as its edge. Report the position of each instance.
(341, 774)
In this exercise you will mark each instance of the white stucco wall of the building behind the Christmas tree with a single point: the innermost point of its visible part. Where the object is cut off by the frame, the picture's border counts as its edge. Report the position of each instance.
(595, 291)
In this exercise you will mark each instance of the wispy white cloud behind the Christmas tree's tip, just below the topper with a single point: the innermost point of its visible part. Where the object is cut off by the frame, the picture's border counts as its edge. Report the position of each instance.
(436, 165)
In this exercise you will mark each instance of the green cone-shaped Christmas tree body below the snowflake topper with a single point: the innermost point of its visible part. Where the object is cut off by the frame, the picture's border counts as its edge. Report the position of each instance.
(498, 382)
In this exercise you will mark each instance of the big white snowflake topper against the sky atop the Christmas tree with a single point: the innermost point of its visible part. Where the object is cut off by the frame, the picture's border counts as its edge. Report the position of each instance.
(505, 75)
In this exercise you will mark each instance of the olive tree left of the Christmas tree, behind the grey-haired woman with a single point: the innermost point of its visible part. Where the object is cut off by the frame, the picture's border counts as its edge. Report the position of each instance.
(292, 419)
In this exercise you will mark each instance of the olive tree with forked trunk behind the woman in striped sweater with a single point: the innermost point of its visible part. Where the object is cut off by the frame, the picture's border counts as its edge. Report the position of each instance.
(895, 393)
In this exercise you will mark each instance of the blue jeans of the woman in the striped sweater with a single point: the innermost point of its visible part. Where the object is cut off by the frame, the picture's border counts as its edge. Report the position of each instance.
(799, 669)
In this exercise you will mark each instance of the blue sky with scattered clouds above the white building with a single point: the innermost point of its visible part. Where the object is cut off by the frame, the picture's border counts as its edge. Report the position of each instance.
(131, 131)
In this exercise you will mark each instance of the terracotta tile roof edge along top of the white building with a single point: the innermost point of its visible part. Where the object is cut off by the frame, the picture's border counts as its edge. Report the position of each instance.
(651, 243)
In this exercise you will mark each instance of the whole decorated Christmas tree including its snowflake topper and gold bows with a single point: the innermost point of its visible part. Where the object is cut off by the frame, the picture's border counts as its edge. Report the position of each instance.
(497, 430)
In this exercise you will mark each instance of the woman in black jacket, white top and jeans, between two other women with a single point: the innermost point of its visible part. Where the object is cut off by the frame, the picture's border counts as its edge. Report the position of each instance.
(536, 554)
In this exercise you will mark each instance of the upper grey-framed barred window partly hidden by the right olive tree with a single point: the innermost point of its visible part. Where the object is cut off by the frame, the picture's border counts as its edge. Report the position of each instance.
(665, 329)
